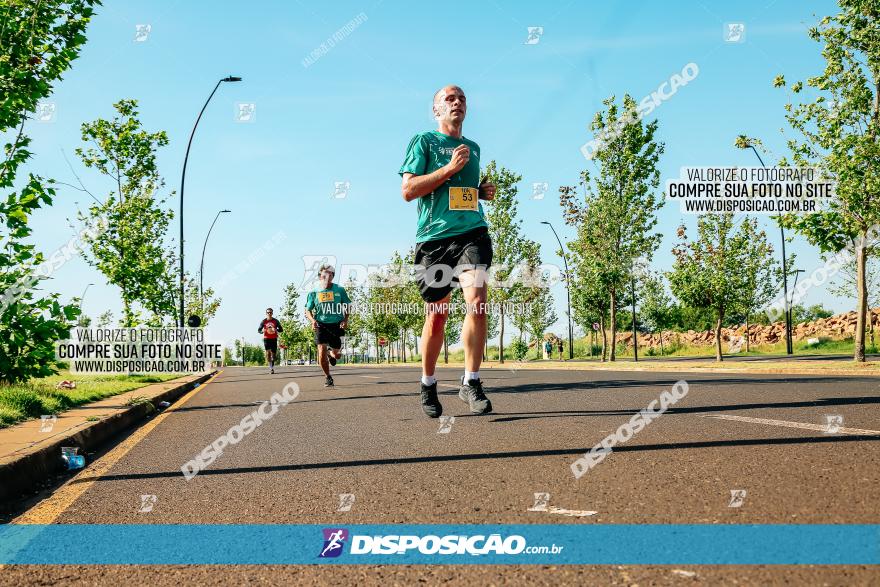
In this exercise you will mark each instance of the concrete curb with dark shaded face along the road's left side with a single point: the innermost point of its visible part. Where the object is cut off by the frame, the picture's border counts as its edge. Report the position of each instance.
(24, 471)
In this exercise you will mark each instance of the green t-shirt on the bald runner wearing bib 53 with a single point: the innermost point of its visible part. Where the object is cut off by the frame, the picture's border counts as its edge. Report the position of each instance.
(427, 152)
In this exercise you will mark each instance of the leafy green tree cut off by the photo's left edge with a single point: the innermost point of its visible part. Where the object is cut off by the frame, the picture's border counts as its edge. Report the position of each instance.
(38, 43)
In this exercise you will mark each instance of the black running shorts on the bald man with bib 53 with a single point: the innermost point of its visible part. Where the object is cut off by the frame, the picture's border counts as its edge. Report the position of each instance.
(444, 259)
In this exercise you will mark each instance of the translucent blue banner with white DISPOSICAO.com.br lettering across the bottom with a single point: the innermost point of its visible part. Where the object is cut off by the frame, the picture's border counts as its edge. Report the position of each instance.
(685, 544)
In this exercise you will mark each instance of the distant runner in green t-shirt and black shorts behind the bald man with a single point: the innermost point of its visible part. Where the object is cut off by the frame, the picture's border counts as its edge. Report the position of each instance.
(327, 310)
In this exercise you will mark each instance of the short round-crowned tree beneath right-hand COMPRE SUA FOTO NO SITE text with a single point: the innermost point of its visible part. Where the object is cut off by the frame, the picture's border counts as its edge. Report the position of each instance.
(708, 272)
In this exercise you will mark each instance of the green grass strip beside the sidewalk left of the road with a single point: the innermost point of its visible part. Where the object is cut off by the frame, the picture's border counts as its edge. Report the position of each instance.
(39, 397)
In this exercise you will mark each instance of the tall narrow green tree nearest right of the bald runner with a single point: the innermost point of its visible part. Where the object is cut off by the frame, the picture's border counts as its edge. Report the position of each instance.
(615, 221)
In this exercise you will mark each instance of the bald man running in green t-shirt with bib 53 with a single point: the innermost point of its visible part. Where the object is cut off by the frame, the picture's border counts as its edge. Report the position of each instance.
(442, 171)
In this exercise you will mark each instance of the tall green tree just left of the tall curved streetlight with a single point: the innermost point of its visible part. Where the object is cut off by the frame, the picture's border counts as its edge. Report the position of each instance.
(131, 253)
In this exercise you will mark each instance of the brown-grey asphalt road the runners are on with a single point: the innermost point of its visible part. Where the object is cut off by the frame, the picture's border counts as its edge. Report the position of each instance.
(368, 437)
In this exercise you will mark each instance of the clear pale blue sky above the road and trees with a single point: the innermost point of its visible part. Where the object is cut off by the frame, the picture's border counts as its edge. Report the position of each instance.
(349, 116)
